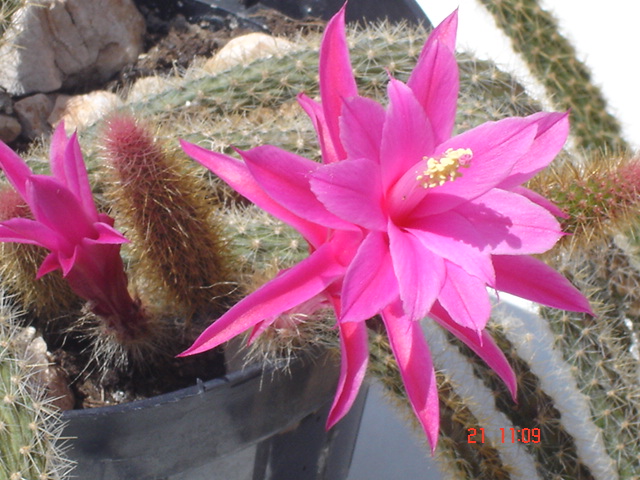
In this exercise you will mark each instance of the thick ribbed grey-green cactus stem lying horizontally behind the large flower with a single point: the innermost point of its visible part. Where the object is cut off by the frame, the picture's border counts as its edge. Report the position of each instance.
(248, 105)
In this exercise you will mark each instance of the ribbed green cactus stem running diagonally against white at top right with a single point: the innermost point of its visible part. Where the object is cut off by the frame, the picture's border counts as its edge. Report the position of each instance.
(553, 61)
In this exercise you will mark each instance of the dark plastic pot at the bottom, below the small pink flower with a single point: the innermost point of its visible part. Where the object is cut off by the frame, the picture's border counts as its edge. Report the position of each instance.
(249, 425)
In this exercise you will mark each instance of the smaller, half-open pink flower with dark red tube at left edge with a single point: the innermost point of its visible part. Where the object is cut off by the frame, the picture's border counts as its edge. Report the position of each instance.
(82, 242)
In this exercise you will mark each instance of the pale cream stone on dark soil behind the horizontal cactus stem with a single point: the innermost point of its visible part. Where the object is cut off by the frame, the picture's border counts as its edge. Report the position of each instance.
(245, 49)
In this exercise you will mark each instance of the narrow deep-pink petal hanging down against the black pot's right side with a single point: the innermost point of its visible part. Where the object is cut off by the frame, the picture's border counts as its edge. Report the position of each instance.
(355, 355)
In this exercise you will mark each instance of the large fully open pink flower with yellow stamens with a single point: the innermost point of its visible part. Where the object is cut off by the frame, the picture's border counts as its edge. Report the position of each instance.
(403, 220)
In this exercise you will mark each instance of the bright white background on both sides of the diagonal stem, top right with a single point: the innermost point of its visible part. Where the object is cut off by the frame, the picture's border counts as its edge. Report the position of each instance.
(605, 33)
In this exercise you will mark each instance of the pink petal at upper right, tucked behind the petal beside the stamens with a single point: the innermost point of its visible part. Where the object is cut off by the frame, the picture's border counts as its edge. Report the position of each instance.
(553, 129)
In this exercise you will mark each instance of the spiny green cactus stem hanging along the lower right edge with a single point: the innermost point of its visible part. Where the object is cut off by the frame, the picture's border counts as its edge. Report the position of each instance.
(601, 350)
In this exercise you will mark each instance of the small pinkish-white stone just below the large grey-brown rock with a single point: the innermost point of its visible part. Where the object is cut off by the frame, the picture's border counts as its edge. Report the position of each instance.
(79, 111)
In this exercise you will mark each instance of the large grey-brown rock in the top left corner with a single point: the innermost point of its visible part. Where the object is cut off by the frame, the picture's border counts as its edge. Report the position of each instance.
(69, 43)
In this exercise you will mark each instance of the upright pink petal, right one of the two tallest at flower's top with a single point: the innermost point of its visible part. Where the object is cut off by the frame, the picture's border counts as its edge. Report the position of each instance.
(435, 78)
